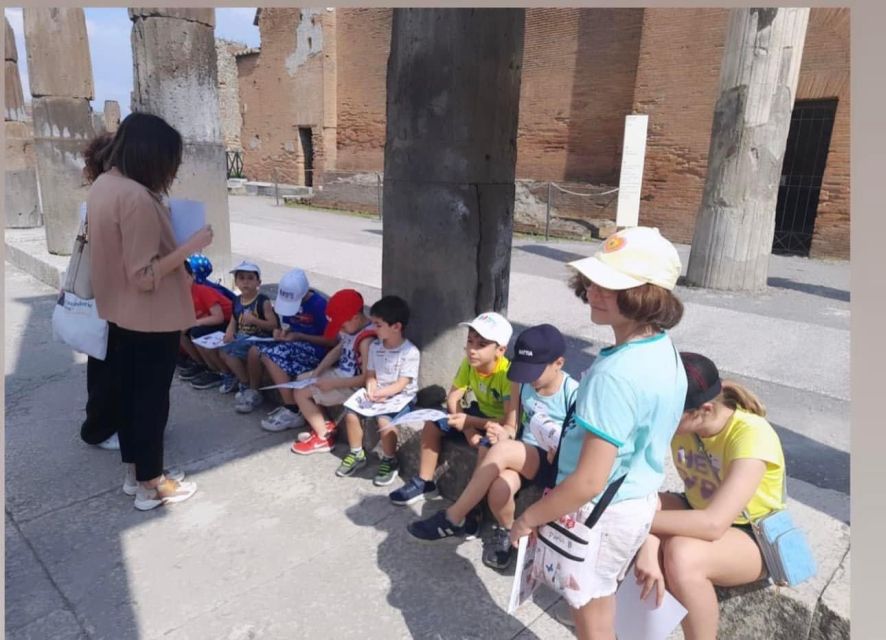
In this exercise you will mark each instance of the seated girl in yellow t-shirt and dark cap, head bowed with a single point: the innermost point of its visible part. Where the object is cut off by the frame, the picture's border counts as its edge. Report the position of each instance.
(701, 538)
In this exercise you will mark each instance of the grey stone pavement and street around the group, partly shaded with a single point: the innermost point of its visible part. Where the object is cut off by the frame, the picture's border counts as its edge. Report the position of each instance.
(274, 546)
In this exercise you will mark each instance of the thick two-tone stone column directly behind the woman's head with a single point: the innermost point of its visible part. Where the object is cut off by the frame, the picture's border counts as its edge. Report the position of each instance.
(175, 76)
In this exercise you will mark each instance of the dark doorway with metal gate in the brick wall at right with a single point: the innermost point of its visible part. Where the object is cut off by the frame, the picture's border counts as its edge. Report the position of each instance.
(805, 159)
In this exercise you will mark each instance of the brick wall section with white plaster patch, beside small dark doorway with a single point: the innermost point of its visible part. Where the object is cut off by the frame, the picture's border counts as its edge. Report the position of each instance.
(281, 89)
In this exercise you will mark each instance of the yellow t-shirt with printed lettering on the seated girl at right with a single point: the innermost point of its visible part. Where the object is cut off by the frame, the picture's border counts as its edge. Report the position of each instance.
(746, 435)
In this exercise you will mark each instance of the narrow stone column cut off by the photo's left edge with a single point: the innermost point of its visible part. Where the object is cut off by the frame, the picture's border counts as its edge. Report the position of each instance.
(22, 205)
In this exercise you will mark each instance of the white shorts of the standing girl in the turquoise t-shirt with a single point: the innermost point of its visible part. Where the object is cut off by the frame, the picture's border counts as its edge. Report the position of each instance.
(623, 528)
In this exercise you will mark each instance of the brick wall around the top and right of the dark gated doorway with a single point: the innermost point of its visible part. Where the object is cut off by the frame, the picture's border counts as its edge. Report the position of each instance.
(824, 73)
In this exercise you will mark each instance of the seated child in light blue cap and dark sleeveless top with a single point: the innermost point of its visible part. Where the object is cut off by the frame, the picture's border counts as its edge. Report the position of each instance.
(253, 317)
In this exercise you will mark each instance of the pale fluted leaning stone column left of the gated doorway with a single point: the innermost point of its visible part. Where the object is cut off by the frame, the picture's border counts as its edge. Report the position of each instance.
(758, 80)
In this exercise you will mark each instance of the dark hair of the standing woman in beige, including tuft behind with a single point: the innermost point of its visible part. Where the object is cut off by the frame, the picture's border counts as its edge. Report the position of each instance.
(145, 148)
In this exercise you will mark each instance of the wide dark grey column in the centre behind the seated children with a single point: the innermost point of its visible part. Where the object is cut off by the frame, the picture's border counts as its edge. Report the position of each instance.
(453, 89)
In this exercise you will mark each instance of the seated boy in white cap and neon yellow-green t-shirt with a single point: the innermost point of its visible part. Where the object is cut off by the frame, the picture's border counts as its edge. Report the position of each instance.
(492, 417)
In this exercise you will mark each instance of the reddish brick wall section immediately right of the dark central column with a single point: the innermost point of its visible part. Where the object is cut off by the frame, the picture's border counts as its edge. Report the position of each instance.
(579, 67)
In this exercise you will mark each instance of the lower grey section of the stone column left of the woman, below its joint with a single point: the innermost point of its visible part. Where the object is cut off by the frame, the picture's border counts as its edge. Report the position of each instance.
(62, 127)
